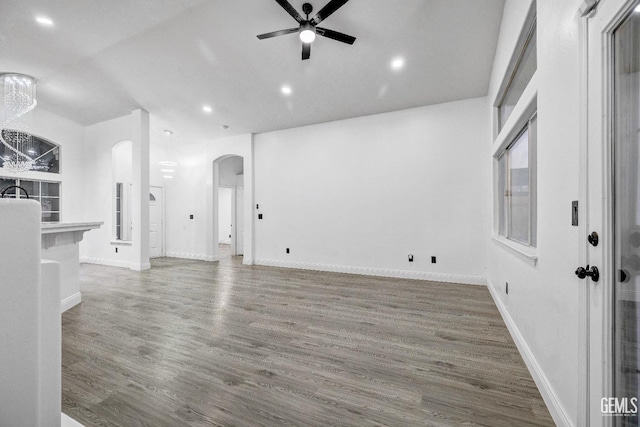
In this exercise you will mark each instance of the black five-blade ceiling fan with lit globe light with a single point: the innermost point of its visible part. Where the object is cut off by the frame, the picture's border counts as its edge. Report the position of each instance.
(308, 27)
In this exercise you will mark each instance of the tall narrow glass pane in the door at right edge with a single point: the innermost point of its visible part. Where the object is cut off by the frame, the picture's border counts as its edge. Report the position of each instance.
(627, 212)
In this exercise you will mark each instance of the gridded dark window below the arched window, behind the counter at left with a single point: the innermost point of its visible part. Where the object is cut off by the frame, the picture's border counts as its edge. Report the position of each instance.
(45, 192)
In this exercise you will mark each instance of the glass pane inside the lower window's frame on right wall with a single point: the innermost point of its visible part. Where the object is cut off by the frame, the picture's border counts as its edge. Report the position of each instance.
(519, 205)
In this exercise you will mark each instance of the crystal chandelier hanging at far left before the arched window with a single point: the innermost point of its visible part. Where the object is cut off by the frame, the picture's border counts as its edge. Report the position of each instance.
(19, 101)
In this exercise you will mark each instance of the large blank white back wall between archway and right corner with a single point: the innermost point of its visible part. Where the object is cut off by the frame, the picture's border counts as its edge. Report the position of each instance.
(359, 195)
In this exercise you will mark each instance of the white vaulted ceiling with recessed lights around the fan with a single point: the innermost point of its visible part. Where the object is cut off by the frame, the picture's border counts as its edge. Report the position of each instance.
(103, 59)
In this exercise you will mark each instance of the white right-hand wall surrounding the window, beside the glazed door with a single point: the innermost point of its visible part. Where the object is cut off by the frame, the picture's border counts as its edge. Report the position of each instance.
(541, 308)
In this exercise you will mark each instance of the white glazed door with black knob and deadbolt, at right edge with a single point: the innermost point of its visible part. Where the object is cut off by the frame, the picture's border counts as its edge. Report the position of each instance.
(612, 182)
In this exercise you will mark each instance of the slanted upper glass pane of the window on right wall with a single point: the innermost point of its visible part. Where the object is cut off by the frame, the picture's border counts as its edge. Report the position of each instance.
(525, 69)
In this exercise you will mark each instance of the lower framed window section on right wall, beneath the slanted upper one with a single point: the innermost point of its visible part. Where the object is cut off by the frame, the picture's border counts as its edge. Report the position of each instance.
(517, 187)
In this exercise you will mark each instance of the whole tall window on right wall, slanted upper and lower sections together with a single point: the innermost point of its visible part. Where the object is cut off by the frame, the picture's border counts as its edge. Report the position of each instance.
(514, 151)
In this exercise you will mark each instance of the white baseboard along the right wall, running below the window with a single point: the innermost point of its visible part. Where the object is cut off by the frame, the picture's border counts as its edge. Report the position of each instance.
(558, 412)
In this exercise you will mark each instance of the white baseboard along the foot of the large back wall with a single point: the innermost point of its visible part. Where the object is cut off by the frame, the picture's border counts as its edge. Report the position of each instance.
(368, 271)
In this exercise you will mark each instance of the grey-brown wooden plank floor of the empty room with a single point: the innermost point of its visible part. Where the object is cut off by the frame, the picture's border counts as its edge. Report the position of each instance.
(193, 343)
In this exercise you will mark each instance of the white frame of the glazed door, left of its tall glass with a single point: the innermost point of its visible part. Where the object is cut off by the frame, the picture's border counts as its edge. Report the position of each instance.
(596, 189)
